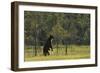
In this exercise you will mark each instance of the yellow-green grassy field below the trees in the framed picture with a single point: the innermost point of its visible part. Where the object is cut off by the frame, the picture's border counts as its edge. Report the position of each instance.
(71, 52)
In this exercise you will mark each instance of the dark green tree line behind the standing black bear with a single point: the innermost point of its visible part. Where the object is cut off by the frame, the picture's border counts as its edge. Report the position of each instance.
(67, 28)
